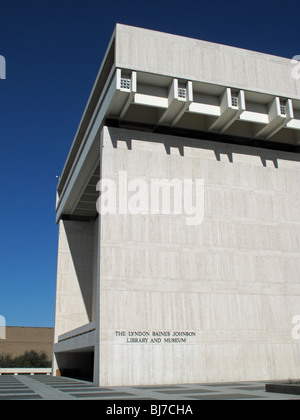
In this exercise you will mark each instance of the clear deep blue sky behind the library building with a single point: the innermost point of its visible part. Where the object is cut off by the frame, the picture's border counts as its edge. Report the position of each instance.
(53, 51)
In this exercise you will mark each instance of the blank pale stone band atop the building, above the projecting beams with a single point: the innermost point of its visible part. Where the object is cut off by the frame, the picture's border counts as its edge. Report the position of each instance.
(192, 59)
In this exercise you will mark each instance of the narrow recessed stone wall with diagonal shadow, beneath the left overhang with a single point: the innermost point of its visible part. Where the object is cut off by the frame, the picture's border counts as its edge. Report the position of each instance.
(75, 276)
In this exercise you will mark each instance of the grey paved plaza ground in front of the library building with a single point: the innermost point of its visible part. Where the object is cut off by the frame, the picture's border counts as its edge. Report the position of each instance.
(25, 387)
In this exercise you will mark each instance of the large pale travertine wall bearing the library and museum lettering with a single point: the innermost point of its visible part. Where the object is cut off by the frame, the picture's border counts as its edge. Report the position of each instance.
(234, 280)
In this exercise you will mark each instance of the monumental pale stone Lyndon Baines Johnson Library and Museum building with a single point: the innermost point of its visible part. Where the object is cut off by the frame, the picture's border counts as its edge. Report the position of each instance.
(149, 294)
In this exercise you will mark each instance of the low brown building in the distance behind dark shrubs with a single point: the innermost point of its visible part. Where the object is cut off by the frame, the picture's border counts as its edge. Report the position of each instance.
(18, 340)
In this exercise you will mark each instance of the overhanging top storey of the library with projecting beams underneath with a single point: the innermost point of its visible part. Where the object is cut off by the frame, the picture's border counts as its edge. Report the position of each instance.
(162, 81)
